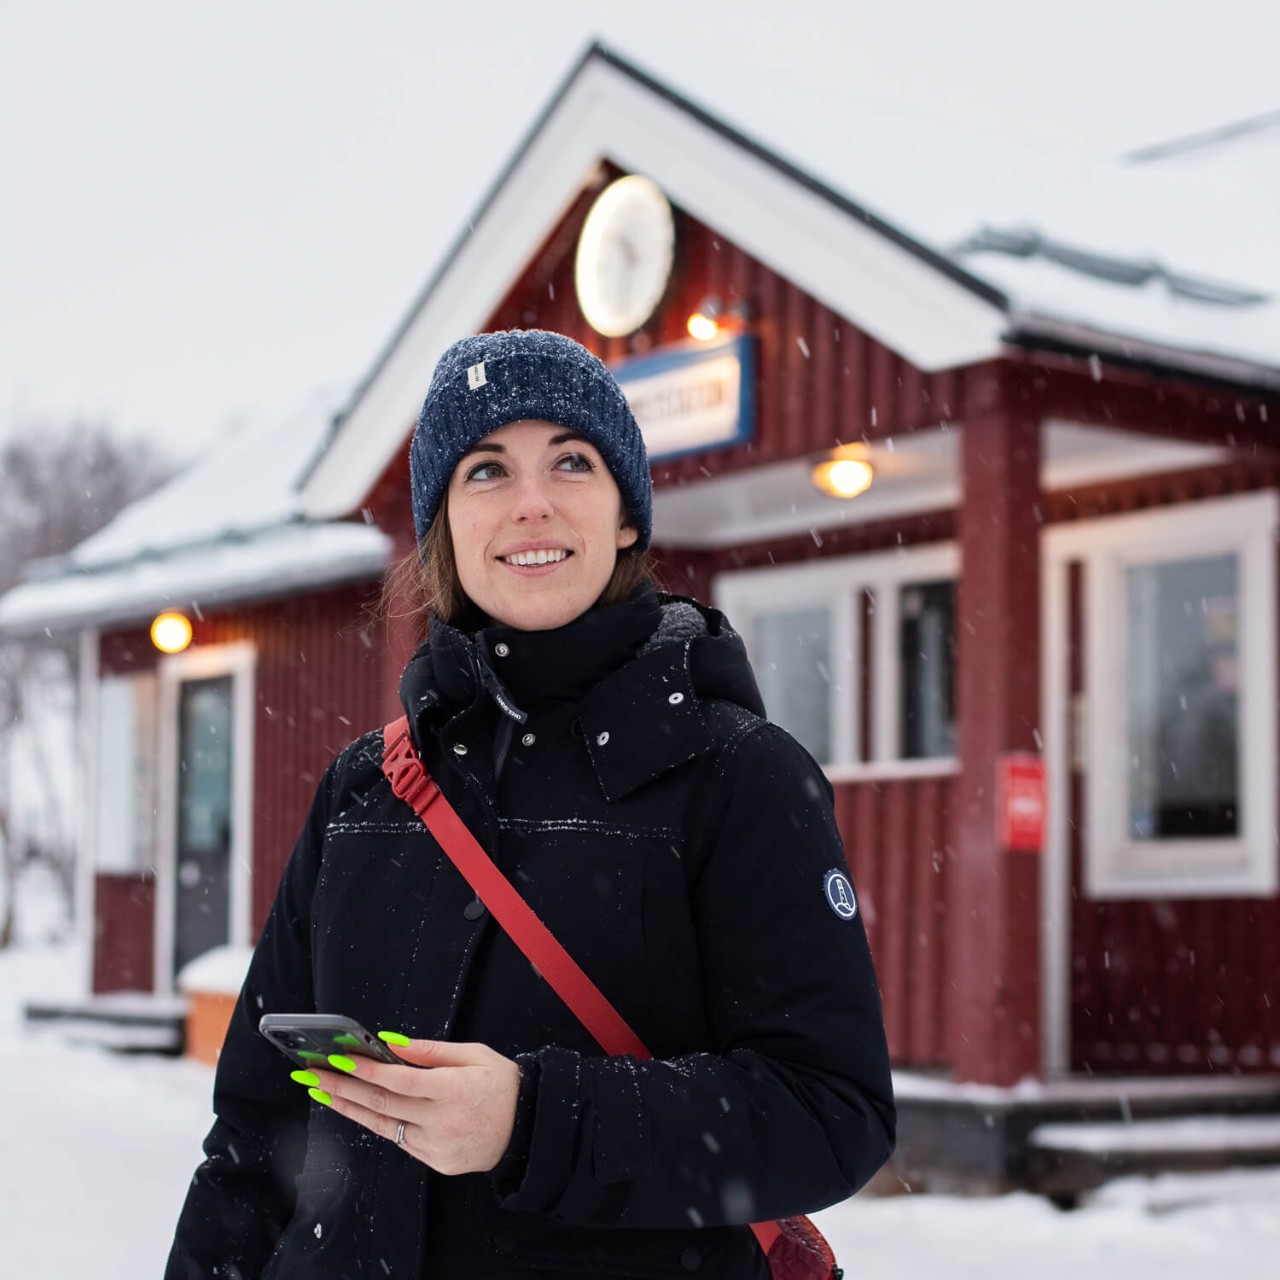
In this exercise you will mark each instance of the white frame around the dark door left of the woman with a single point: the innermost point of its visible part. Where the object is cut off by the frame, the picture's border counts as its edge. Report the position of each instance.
(239, 661)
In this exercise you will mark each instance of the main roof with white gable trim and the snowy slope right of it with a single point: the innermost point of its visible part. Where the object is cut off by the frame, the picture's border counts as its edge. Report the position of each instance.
(943, 248)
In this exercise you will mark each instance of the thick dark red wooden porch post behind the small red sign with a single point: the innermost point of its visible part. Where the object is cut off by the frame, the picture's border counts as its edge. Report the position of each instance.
(995, 898)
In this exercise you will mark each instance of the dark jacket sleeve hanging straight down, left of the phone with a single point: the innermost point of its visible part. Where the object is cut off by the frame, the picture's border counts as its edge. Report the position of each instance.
(243, 1196)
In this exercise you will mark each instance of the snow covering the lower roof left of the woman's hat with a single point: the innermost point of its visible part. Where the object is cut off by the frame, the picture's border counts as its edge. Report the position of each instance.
(230, 528)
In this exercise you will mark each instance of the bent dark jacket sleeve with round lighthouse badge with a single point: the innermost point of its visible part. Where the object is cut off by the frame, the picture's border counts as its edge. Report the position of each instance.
(792, 1108)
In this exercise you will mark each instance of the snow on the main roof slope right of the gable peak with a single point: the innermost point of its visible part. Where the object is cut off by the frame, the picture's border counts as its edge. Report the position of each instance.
(1208, 214)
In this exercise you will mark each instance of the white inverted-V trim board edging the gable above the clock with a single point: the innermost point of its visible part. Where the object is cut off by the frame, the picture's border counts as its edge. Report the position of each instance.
(806, 236)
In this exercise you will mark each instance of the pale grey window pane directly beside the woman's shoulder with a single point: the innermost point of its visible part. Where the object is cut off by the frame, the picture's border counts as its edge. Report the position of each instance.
(793, 668)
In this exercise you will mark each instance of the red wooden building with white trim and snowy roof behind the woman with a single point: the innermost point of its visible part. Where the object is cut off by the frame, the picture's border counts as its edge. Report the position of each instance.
(1037, 657)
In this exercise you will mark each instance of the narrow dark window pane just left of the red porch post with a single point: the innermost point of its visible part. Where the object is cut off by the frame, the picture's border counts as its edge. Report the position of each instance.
(927, 652)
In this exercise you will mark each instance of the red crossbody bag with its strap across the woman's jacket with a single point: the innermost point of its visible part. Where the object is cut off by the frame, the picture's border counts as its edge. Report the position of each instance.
(794, 1247)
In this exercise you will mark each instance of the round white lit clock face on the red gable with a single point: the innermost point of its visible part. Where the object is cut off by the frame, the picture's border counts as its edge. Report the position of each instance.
(625, 257)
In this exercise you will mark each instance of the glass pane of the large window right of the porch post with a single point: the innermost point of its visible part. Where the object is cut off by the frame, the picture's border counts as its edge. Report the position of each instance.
(1185, 723)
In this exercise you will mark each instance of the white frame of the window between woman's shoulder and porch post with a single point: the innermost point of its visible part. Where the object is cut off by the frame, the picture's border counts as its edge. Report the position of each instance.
(838, 584)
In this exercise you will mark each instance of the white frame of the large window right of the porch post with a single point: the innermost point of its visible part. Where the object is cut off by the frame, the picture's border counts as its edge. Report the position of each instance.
(1117, 867)
